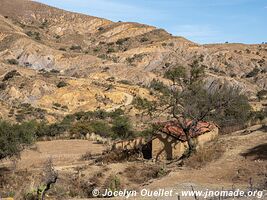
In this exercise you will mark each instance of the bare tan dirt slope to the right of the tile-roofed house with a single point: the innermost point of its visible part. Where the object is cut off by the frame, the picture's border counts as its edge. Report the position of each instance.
(229, 171)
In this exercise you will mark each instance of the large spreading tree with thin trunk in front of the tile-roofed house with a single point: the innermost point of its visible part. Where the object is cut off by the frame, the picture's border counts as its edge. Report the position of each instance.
(189, 99)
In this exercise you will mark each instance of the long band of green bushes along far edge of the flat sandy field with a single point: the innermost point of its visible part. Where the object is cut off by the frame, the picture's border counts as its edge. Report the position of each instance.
(105, 124)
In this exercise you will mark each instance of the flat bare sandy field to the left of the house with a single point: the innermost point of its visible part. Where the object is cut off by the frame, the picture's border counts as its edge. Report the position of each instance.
(64, 153)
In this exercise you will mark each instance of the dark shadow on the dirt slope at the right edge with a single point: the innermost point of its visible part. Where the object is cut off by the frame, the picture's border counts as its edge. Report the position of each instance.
(258, 152)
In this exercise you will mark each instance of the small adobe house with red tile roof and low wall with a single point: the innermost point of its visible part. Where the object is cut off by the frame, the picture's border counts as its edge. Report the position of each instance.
(170, 141)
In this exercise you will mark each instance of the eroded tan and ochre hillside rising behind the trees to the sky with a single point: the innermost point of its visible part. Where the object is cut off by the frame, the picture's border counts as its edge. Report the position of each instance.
(66, 62)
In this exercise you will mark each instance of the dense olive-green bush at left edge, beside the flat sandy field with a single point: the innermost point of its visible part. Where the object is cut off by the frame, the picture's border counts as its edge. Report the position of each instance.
(14, 137)
